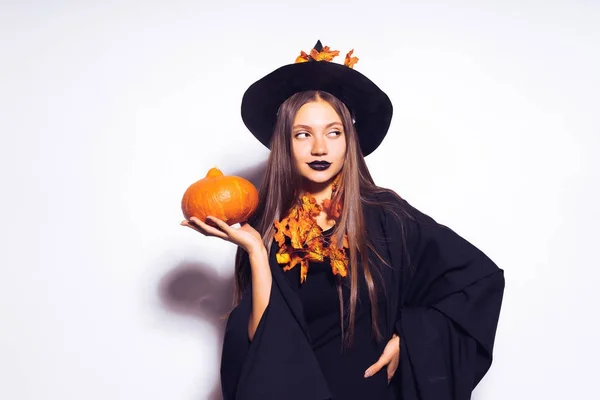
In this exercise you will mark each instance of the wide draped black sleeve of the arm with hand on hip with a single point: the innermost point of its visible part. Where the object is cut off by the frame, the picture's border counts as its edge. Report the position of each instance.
(448, 305)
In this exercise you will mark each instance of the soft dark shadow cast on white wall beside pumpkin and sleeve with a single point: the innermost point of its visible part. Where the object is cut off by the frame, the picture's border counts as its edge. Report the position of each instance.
(195, 288)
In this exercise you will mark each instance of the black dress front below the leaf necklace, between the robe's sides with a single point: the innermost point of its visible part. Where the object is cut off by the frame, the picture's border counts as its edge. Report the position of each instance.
(343, 368)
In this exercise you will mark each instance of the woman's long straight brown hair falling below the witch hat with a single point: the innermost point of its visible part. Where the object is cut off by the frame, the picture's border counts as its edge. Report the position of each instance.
(277, 196)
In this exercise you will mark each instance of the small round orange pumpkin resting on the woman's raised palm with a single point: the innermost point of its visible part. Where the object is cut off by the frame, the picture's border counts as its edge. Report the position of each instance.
(229, 198)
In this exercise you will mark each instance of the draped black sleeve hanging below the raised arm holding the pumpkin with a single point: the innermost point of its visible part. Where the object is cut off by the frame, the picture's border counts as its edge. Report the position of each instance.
(279, 363)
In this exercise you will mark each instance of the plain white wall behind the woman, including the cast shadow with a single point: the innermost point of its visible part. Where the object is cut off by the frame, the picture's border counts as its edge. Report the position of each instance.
(109, 111)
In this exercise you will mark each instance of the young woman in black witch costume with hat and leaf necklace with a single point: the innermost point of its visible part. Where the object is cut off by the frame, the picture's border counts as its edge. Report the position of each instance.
(343, 289)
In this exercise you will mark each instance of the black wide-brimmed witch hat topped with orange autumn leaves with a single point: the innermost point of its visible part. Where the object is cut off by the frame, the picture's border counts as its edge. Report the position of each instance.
(370, 107)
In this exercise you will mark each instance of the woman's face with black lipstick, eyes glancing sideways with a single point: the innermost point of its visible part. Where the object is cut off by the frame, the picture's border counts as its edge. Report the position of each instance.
(318, 142)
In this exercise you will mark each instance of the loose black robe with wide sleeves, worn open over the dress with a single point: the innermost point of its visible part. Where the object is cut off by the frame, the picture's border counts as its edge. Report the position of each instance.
(443, 300)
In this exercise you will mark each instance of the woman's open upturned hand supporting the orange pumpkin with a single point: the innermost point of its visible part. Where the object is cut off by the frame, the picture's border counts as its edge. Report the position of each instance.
(245, 236)
